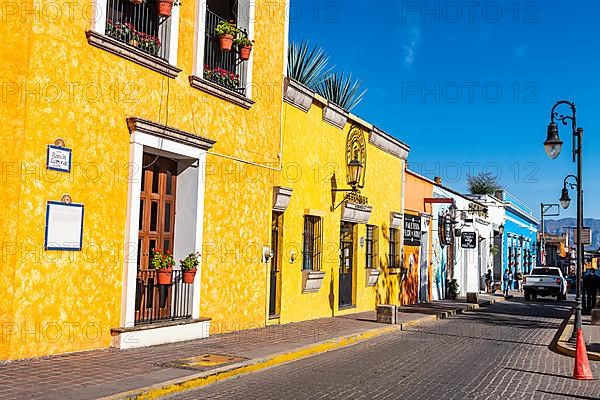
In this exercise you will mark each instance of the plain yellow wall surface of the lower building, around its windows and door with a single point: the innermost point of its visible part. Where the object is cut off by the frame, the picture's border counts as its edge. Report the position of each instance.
(312, 151)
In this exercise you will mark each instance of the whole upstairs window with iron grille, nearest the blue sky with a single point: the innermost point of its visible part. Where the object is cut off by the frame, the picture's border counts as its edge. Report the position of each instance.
(225, 68)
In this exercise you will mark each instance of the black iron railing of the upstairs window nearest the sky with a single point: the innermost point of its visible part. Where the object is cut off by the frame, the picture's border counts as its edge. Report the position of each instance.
(222, 67)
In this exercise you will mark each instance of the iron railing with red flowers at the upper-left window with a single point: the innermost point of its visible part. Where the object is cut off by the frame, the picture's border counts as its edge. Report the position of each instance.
(139, 26)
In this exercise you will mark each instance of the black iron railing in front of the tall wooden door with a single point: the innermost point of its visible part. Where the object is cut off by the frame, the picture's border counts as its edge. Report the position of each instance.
(154, 302)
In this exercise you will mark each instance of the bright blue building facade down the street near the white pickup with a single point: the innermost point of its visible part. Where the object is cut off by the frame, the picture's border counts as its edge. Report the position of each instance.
(519, 242)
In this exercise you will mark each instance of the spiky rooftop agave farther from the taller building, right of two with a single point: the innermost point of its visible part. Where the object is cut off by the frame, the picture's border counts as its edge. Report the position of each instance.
(342, 90)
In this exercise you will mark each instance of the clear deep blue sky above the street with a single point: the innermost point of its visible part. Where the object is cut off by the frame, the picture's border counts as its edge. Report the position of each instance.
(470, 87)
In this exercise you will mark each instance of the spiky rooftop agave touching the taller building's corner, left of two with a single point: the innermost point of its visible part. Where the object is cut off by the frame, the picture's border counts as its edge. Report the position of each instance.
(307, 66)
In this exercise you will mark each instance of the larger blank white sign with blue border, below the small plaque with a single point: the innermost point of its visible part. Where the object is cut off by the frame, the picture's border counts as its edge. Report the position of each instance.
(64, 226)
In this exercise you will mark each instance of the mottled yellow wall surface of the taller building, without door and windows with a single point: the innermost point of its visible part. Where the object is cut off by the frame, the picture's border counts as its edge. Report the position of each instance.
(55, 302)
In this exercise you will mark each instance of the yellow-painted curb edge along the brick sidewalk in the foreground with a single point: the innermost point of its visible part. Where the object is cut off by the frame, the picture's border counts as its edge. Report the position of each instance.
(206, 378)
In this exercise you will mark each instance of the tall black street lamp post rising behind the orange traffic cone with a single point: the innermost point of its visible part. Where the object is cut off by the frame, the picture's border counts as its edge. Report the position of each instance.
(553, 147)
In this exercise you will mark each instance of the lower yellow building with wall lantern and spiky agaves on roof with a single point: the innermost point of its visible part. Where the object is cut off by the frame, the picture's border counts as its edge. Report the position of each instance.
(338, 251)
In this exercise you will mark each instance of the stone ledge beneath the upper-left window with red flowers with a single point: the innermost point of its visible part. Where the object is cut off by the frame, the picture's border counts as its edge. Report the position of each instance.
(132, 54)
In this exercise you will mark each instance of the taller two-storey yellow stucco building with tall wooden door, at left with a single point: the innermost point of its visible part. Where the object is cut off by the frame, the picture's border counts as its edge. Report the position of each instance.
(162, 150)
